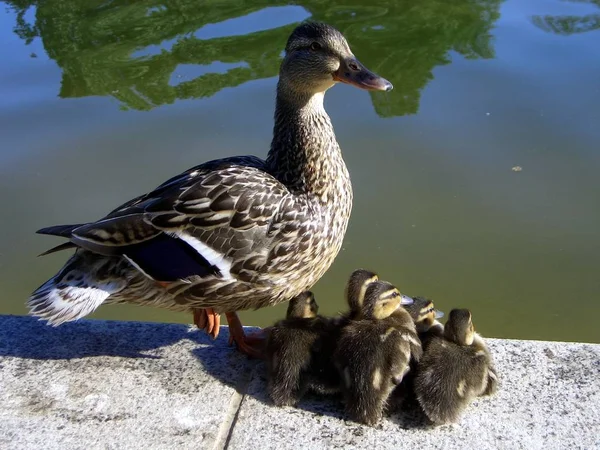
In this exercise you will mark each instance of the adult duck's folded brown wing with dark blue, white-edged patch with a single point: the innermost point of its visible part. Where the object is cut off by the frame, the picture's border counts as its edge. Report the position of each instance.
(213, 220)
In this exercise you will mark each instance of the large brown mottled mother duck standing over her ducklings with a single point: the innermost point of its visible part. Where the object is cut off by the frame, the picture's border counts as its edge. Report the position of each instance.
(231, 234)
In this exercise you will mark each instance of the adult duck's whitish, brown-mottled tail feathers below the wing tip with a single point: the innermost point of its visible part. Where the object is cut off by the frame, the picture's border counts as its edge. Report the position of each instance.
(76, 290)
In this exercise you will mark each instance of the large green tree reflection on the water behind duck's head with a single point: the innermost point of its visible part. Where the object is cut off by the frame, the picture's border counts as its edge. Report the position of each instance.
(143, 53)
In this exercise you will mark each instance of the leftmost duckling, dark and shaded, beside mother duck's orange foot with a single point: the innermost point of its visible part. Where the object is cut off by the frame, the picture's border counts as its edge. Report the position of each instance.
(290, 352)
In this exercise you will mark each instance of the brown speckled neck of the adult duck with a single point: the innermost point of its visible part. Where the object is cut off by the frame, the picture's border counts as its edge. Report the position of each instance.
(304, 154)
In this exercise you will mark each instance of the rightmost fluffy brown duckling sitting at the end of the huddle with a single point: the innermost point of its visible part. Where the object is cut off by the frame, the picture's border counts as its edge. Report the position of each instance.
(454, 370)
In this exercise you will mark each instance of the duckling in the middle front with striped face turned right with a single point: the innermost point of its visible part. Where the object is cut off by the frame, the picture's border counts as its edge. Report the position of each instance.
(373, 353)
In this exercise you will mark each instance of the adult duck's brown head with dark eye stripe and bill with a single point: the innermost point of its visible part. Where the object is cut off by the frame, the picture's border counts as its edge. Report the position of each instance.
(317, 56)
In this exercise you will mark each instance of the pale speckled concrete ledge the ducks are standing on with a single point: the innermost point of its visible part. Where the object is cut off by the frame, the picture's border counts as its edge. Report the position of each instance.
(102, 384)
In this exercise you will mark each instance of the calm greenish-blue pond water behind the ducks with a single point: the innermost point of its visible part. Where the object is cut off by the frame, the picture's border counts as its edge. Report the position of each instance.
(103, 100)
